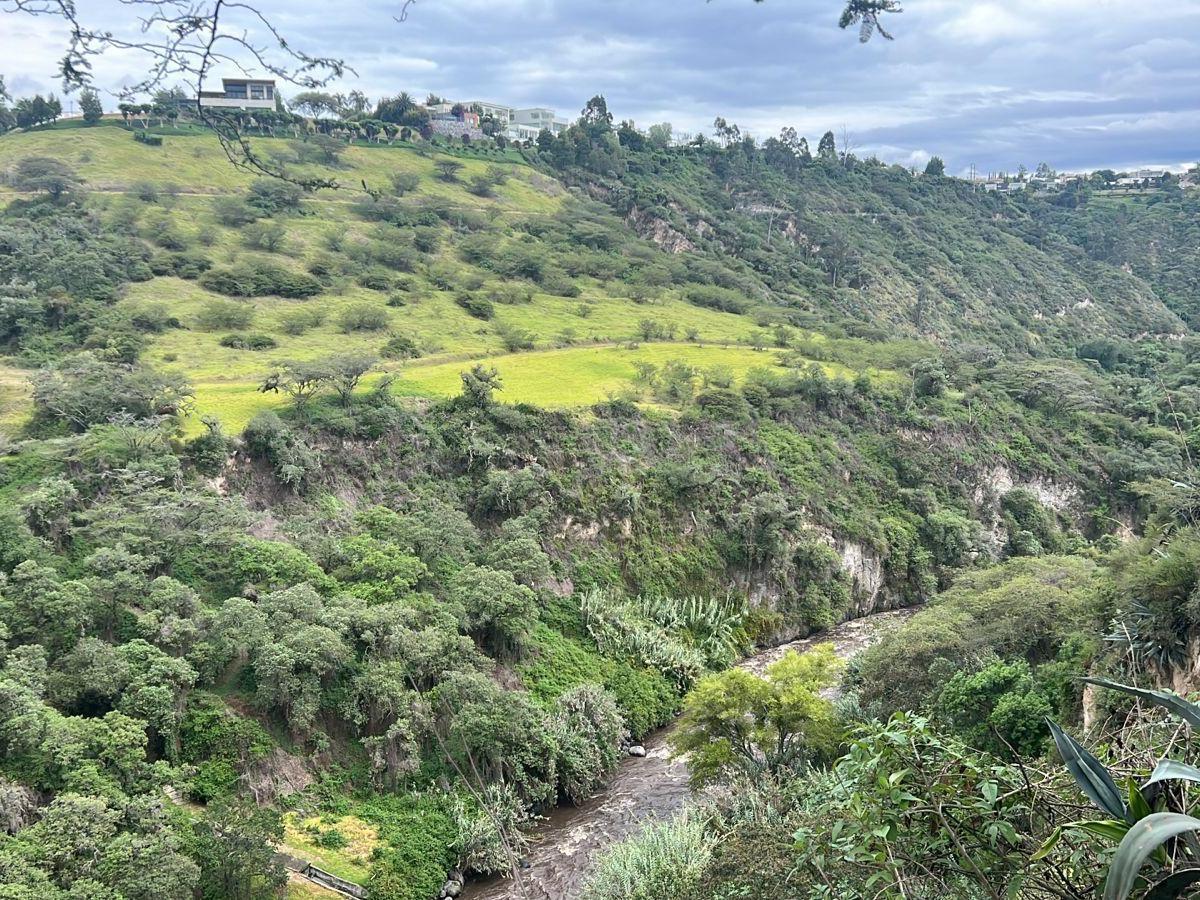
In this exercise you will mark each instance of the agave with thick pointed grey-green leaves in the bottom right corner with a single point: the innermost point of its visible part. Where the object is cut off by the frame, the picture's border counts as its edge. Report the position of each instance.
(1142, 833)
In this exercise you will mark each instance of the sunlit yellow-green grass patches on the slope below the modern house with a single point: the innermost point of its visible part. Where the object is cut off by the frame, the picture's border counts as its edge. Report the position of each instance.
(191, 167)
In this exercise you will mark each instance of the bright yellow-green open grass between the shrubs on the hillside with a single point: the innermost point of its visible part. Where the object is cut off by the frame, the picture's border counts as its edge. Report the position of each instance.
(580, 352)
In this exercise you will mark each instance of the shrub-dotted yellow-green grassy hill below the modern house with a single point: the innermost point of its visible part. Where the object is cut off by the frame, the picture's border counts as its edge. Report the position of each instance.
(404, 260)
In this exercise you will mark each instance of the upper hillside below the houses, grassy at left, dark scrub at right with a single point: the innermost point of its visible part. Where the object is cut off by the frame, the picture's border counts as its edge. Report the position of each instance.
(873, 253)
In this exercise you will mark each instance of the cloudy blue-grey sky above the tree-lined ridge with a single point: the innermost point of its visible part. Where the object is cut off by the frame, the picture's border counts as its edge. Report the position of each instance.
(994, 85)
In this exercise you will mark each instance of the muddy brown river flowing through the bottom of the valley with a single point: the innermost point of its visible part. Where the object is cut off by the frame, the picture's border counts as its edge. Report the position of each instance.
(645, 790)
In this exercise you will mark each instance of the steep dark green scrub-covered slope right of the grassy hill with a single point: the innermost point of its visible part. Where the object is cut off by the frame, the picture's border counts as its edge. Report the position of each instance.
(988, 271)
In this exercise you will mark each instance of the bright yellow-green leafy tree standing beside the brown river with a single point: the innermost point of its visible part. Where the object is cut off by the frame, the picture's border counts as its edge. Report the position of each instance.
(736, 723)
